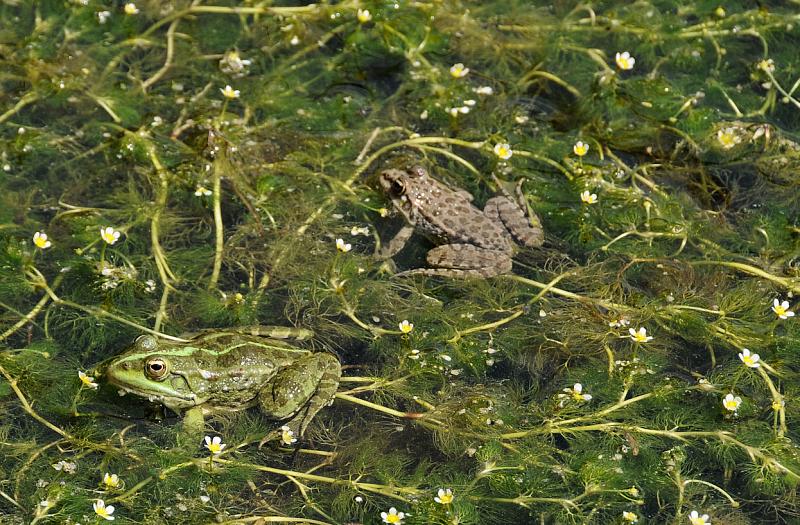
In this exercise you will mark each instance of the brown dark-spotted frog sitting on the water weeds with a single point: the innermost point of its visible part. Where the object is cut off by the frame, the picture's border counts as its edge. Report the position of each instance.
(471, 242)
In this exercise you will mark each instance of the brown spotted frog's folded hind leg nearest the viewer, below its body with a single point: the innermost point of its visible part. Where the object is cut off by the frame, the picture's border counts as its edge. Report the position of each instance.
(464, 260)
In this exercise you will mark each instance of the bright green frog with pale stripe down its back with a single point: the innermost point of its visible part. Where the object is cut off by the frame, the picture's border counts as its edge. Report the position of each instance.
(228, 370)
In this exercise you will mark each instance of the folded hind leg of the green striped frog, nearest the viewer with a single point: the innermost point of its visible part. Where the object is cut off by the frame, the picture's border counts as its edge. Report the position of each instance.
(300, 390)
